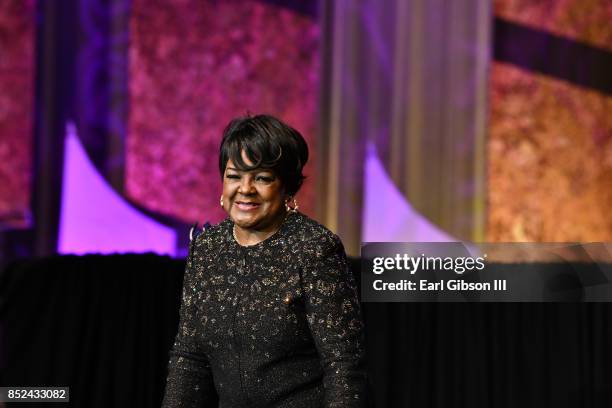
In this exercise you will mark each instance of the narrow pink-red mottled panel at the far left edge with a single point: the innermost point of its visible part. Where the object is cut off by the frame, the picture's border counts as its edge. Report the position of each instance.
(16, 107)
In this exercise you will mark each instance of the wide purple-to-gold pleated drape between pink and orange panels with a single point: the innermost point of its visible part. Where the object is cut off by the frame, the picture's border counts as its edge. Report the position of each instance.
(411, 78)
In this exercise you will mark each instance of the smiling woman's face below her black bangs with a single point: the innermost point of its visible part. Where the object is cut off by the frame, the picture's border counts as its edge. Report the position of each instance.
(253, 199)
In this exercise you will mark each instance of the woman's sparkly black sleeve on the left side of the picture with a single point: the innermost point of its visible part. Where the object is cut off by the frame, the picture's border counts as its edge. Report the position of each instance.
(189, 382)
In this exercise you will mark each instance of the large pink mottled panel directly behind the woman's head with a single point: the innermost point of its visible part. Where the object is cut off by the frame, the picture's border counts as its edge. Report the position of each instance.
(196, 64)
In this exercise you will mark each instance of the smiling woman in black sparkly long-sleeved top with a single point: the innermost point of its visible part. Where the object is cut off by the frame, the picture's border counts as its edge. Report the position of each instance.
(269, 316)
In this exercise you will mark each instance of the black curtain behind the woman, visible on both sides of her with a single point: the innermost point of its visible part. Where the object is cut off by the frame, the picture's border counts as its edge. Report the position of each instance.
(103, 325)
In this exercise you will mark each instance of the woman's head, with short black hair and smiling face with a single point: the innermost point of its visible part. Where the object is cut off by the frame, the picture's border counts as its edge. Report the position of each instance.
(261, 162)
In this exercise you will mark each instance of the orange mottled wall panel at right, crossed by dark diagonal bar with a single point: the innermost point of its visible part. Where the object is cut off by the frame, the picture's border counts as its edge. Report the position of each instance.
(550, 141)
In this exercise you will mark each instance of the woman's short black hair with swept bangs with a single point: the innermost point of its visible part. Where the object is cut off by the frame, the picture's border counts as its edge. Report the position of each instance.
(269, 143)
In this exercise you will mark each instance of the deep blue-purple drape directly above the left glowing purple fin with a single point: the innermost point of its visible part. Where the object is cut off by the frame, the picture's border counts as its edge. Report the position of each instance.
(101, 91)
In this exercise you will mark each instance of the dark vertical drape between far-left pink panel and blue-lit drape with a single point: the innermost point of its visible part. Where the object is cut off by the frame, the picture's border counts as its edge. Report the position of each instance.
(54, 77)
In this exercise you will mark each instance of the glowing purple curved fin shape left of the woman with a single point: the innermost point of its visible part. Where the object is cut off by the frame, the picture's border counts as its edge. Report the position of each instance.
(95, 219)
